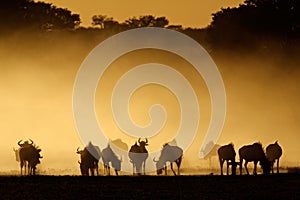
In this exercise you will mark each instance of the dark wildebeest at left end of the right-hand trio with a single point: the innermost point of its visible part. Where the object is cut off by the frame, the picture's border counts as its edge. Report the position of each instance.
(227, 153)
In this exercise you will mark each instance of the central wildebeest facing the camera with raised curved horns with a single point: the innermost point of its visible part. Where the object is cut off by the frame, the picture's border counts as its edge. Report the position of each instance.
(138, 155)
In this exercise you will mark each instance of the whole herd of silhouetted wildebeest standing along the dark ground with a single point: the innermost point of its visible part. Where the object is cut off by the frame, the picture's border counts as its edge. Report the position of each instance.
(28, 154)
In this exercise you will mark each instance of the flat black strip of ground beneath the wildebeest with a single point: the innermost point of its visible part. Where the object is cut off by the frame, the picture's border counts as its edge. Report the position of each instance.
(282, 186)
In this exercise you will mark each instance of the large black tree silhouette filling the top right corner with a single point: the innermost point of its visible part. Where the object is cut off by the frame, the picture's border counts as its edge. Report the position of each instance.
(256, 22)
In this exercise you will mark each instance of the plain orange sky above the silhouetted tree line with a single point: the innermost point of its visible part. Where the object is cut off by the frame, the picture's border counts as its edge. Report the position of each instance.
(190, 13)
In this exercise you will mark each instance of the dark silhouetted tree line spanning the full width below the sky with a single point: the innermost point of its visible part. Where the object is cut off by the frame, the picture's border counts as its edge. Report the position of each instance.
(251, 24)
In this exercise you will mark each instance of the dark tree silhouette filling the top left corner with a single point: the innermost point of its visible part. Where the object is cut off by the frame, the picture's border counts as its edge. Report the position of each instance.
(20, 14)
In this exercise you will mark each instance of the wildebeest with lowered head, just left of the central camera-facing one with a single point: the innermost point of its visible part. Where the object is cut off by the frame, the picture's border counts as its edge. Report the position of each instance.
(109, 157)
